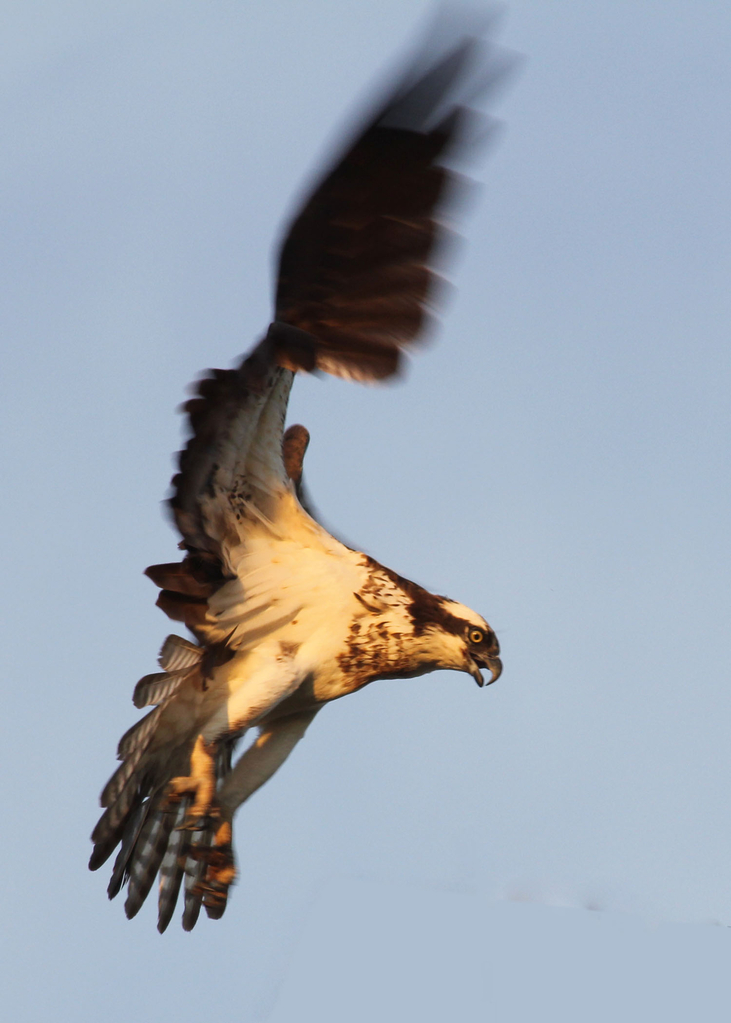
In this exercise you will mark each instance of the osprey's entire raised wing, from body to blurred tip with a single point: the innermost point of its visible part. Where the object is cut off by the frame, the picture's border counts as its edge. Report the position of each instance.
(356, 284)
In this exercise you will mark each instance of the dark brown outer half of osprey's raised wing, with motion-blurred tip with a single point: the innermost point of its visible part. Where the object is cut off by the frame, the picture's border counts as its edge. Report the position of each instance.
(356, 270)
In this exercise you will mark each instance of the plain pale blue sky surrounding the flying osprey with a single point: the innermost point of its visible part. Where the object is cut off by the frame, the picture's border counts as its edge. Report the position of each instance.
(558, 847)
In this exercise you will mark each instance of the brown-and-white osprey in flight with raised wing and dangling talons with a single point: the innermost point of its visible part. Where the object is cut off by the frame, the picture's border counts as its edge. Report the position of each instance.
(286, 618)
